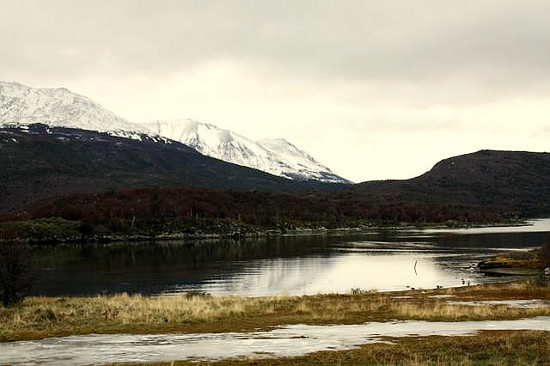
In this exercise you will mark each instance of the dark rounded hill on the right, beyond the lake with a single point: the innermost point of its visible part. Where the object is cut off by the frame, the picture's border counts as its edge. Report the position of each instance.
(508, 180)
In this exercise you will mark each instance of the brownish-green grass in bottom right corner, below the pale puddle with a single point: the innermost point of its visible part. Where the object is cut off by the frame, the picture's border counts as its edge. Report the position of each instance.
(487, 348)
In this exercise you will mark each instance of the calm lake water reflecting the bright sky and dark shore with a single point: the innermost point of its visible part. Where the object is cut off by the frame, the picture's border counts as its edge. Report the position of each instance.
(382, 260)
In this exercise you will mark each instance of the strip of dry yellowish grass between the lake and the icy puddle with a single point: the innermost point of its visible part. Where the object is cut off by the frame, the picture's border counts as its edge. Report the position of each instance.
(40, 317)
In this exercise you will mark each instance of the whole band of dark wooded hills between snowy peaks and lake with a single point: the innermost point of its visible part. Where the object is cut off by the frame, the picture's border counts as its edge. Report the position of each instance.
(98, 185)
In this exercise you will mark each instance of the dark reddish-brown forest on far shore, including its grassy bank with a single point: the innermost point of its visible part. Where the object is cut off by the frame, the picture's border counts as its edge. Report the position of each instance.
(165, 211)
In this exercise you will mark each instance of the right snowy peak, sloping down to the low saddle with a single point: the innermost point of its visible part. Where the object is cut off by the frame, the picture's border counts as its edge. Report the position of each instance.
(275, 156)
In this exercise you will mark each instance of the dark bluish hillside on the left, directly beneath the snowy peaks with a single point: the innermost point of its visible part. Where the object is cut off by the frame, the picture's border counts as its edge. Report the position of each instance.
(37, 161)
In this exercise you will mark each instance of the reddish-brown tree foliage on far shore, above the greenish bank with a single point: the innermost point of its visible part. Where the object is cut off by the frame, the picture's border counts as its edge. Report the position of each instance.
(255, 208)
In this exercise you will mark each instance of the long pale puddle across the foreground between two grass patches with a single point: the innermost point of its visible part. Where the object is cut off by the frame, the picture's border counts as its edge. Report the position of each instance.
(288, 341)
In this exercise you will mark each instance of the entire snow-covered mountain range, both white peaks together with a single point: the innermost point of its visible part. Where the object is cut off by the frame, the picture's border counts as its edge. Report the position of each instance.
(21, 105)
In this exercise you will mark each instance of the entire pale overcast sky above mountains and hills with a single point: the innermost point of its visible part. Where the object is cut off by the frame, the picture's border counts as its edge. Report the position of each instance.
(372, 89)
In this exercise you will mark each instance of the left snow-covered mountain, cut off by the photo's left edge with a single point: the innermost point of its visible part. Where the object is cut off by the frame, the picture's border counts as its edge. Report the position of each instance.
(58, 107)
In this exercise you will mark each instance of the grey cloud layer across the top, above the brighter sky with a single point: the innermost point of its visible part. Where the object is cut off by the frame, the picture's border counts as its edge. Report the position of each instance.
(474, 49)
